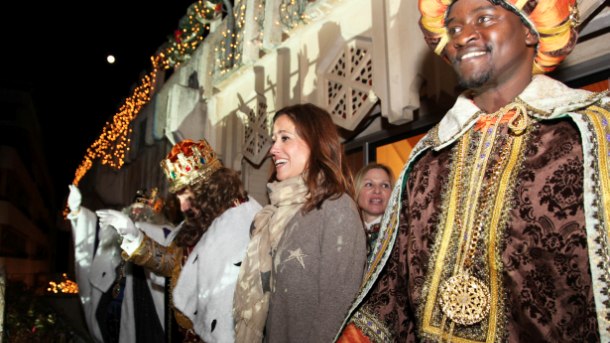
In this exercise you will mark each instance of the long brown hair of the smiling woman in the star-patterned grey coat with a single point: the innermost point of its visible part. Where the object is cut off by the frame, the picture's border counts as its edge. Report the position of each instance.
(327, 173)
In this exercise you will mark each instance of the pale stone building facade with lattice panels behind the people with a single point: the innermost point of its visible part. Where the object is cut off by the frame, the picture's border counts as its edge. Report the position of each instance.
(286, 61)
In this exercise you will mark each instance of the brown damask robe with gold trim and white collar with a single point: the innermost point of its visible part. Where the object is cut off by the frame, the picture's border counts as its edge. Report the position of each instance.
(541, 218)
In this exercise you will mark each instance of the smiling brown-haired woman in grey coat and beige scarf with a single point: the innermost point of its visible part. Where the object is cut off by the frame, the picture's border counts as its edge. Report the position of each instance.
(308, 249)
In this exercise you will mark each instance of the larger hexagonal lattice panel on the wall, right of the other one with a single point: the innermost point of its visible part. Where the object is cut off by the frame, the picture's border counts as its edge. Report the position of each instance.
(347, 84)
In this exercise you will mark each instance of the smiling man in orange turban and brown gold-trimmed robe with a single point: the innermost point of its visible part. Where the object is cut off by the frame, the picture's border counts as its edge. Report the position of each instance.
(497, 229)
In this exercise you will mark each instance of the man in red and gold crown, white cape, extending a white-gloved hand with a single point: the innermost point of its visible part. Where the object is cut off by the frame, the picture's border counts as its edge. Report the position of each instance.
(206, 250)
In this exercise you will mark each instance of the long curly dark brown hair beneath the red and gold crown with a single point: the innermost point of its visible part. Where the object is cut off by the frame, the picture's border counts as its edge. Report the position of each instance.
(212, 198)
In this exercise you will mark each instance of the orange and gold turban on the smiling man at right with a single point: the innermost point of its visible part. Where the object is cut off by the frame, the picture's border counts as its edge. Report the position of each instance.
(554, 21)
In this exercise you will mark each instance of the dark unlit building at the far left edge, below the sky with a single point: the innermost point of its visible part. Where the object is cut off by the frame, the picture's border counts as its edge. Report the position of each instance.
(26, 228)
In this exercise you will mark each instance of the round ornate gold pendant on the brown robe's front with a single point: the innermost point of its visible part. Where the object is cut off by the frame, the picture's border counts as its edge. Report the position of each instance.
(464, 299)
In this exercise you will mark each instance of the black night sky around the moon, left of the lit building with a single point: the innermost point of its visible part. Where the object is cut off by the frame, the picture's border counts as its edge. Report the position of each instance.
(57, 52)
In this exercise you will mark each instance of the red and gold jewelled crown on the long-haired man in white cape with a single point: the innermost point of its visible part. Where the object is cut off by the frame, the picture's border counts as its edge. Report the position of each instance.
(189, 163)
